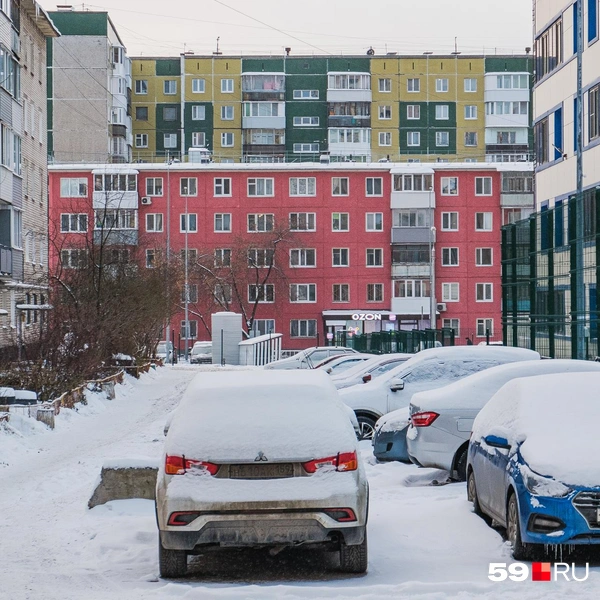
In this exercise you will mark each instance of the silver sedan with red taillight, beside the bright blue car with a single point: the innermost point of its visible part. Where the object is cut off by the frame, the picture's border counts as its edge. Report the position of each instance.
(441, 420)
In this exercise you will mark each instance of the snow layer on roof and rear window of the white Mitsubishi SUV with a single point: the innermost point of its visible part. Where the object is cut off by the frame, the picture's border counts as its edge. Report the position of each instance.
(292, 415)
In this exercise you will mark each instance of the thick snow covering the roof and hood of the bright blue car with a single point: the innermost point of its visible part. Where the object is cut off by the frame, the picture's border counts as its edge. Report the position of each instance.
(556, 418)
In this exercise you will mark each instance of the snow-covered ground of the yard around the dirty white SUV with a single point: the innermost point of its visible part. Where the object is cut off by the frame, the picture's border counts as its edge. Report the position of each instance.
(424, 540)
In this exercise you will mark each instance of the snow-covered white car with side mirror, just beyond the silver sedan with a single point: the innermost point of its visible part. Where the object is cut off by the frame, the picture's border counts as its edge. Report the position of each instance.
(426, 370)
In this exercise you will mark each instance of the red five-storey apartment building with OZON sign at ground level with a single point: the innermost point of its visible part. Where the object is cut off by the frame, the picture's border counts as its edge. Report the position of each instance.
(359, 258)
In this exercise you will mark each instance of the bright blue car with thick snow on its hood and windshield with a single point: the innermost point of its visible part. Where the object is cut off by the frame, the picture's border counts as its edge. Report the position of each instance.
(532, 469)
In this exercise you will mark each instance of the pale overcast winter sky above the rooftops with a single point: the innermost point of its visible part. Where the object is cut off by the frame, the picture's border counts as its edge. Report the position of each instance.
(156, 28)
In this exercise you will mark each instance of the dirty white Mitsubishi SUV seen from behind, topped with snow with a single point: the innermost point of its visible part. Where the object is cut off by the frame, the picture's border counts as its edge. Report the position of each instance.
(247, 464)
